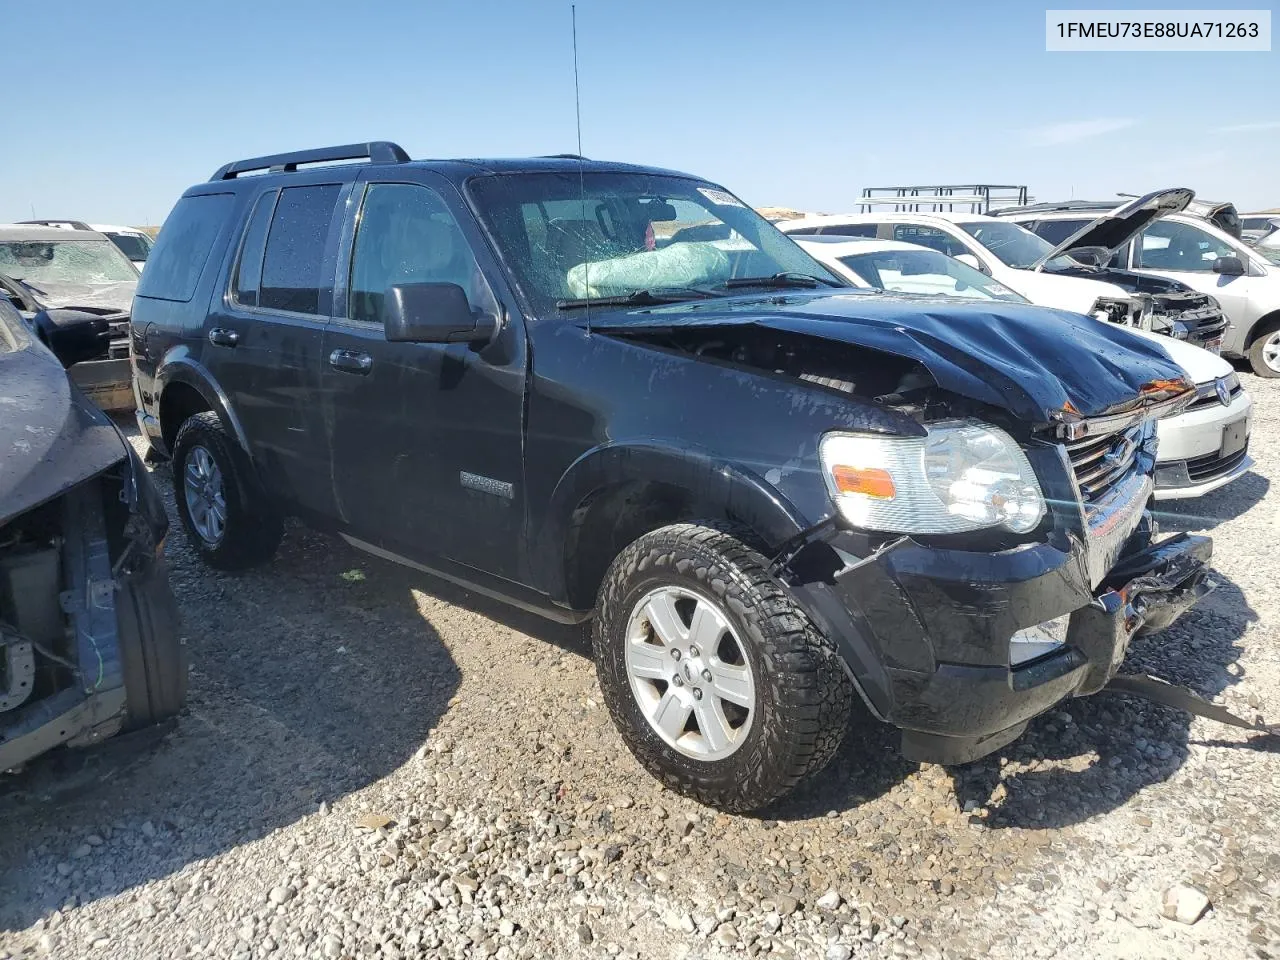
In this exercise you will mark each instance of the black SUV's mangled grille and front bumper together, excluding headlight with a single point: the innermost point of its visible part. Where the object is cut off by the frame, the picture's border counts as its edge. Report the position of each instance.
(961, 647)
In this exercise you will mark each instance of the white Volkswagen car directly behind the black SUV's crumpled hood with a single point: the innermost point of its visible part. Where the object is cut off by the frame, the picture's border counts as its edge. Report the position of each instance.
(1201, 450)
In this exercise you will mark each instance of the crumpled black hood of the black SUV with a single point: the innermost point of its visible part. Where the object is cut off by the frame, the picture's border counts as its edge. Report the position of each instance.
(1039, 364)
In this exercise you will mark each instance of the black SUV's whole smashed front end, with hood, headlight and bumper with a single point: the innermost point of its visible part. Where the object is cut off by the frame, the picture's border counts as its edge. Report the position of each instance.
(988, 548)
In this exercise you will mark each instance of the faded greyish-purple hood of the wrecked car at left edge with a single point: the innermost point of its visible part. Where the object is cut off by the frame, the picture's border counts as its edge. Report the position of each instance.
(51, 436)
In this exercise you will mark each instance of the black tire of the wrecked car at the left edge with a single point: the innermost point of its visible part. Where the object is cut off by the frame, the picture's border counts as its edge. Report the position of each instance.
(153, 653)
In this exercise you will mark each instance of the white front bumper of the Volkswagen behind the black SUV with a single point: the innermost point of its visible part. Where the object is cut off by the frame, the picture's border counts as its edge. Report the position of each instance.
(1204, 449)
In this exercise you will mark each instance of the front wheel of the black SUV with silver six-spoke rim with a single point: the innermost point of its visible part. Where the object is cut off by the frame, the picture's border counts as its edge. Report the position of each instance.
(717, 682)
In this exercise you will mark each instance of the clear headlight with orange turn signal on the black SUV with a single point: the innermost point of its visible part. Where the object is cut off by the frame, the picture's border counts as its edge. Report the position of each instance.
(964, 476)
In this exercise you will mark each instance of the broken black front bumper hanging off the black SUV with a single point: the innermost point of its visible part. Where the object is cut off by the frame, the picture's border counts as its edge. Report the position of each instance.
(926, 632)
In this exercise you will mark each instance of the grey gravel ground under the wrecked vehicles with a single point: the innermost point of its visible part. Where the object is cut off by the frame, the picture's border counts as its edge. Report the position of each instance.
(376, 764)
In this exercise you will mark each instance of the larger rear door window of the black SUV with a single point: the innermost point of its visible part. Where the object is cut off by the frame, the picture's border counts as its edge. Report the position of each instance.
(294, 262)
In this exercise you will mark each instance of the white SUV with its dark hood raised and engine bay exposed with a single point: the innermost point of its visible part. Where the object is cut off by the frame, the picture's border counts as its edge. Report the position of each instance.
(1068, 277)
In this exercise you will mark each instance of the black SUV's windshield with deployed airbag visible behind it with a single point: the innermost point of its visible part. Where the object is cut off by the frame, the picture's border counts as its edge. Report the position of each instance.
(573, 239)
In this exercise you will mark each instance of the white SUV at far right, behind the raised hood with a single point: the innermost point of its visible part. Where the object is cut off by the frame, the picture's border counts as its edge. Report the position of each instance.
(1199, 254)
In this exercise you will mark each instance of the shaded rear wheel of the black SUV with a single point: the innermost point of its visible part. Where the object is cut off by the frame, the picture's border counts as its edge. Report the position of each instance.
(223, 508)
